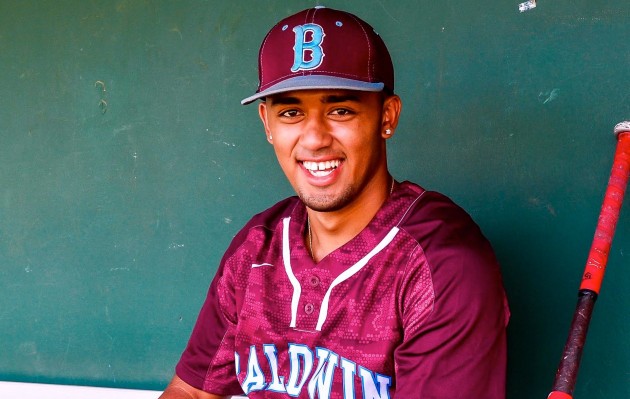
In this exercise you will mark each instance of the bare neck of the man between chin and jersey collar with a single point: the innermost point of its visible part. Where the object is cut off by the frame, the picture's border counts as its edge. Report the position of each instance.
(327, 231)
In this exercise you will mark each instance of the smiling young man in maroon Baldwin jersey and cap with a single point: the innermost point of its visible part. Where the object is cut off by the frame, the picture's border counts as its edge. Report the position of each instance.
(361, 286)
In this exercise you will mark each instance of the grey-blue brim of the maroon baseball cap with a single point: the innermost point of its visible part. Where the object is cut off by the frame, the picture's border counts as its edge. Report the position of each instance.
(311, 82)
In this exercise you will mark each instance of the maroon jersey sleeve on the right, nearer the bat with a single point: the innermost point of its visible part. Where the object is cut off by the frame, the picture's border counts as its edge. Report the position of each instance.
(454, 342)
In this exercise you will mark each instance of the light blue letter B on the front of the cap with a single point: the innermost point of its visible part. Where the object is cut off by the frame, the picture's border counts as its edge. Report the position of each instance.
(313, 47)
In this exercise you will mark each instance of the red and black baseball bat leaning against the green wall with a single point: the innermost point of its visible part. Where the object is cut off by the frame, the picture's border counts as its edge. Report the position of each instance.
(566, 376)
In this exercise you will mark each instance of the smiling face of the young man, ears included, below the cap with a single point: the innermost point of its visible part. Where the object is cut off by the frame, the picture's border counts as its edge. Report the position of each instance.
(331, 144)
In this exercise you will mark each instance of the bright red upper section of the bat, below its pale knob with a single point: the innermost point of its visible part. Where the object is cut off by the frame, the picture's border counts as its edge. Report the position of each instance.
(609, 214)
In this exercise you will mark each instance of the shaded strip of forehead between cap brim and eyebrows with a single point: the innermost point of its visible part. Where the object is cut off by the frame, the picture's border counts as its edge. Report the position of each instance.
(324, 96)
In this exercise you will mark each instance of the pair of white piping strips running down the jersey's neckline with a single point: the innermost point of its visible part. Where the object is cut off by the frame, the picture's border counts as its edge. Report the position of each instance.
(297, 289)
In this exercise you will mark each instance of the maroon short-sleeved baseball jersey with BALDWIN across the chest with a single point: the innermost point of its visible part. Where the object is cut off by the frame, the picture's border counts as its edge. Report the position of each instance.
(412, 307)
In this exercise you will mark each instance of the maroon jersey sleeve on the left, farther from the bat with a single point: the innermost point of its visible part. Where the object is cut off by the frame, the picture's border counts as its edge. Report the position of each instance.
(208, 362)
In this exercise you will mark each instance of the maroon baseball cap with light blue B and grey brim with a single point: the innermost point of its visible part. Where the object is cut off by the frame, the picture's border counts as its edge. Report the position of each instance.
(322, 48)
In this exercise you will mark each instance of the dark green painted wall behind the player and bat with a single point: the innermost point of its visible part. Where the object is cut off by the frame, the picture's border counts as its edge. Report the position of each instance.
(127, 164)
